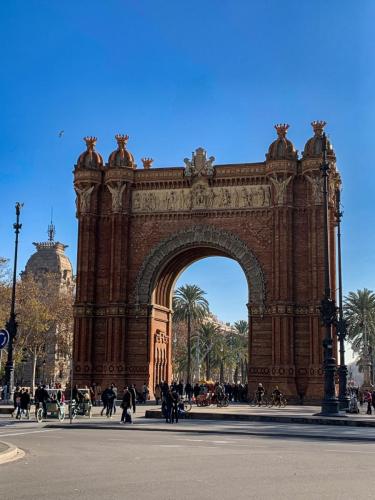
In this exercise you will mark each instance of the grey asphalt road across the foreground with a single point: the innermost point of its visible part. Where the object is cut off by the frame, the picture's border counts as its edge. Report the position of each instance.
(128, 462)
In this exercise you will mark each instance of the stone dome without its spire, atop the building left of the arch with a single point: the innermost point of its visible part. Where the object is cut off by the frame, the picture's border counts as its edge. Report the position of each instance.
(50, 258)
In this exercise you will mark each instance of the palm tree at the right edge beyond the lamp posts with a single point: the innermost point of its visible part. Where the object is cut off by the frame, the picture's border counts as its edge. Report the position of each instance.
(359, 309)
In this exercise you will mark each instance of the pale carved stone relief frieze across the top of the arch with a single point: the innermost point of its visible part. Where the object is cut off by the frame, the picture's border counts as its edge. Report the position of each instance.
(201, 197)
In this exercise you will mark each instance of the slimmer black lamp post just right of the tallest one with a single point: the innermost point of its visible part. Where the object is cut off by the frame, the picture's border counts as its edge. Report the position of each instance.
(341, 324)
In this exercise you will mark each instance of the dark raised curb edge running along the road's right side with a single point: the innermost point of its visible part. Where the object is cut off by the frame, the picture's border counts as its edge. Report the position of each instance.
(313, 420)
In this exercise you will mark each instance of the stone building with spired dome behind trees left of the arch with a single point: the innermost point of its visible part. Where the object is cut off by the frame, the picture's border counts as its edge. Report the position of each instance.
(50, 258)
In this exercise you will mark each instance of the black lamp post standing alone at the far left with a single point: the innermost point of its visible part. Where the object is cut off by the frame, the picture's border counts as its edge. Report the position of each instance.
(12, 323)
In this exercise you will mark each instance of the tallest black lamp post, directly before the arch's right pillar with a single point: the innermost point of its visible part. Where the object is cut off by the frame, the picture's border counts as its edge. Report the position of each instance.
(330, 404)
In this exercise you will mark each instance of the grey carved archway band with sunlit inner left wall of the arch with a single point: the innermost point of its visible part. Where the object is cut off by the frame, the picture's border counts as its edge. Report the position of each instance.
(161, 270)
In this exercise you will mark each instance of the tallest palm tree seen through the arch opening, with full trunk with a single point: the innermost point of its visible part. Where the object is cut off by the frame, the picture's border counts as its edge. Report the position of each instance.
(189, 304)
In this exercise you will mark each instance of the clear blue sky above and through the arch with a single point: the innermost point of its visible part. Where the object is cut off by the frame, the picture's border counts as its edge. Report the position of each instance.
(176, 75)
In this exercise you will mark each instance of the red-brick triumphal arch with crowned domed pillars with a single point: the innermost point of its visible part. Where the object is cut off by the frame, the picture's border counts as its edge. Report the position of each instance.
(139, 228)
